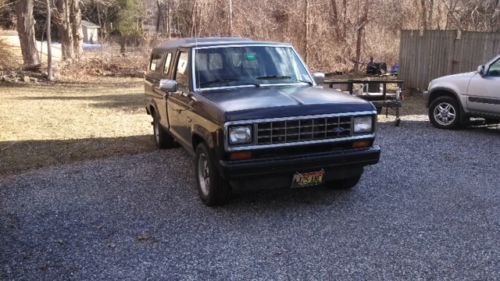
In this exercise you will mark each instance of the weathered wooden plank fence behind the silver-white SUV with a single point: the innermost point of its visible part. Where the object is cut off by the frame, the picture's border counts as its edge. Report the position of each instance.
(438, 53)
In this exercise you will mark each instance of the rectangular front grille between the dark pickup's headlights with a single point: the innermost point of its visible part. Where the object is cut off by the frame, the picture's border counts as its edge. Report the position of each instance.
(289, 131)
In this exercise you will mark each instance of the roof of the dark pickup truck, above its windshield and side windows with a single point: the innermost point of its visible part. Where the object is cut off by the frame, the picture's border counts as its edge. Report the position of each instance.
(208, 41)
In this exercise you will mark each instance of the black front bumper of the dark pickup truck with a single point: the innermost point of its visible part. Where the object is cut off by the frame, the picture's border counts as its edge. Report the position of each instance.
(354, 158)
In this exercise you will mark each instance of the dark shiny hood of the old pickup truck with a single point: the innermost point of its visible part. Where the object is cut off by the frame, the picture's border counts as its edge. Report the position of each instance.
(282, 101)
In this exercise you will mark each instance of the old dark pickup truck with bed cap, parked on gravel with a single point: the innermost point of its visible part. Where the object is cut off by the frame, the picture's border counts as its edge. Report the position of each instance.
(252, 115)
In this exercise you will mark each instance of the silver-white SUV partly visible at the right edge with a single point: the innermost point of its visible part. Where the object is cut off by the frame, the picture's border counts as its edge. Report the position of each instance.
(452, 100)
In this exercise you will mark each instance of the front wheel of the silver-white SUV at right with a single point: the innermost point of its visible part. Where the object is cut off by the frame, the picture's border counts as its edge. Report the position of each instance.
(445, 113)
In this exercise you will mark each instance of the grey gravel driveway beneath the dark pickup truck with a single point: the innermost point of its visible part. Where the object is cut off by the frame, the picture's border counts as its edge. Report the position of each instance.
(429, 210)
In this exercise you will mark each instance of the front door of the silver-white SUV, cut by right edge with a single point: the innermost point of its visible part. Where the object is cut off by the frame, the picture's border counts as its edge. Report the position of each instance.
(484, 91)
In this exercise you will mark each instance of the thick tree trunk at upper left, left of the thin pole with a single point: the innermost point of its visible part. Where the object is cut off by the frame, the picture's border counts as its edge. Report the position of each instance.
(26, 31)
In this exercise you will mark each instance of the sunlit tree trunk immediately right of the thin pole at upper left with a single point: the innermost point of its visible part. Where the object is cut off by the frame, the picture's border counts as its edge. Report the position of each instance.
(65, 30)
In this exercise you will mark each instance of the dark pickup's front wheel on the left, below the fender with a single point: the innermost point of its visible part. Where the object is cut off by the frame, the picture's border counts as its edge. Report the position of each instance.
(212, 188)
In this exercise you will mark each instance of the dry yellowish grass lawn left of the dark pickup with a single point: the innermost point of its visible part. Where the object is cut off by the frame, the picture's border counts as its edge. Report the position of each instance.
(45, 125)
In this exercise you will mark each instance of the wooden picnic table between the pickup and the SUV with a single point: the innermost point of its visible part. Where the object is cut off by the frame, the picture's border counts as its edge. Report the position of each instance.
(375, 90)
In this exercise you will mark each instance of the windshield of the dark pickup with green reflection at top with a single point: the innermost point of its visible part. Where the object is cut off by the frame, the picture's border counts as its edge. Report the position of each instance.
(217, 67)
